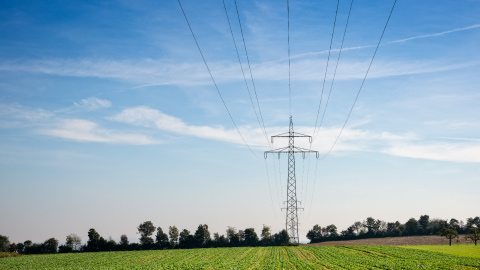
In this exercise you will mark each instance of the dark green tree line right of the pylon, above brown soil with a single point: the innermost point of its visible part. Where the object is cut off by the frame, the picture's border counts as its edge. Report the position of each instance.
(375, 228)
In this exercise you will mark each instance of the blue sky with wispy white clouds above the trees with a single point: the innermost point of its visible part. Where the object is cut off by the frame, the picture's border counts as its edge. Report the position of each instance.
(109, 117)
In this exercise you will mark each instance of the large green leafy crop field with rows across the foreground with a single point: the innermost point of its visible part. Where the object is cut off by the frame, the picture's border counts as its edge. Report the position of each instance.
(303, 257)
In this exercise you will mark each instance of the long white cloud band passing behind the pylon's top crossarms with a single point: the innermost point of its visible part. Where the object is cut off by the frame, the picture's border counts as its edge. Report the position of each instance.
(352, 140)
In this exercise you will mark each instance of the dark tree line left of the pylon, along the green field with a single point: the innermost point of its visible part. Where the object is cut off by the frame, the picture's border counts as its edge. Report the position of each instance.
(149, 240)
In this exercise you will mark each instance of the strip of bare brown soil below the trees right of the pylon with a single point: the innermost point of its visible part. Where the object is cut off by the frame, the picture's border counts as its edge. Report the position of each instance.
(398, 241)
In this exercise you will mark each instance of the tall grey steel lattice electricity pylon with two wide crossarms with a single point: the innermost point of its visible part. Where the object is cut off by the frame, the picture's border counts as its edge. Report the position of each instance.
(291, 218)
